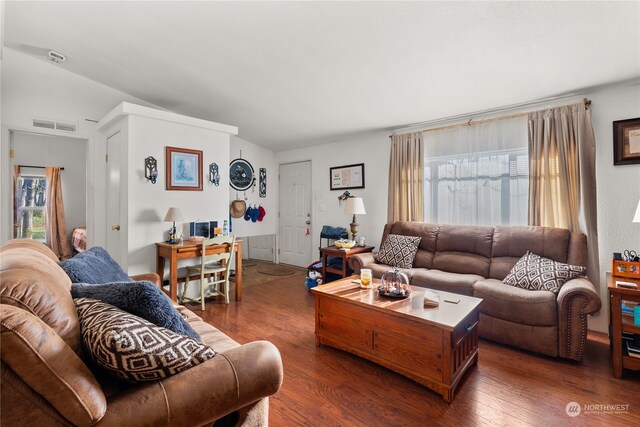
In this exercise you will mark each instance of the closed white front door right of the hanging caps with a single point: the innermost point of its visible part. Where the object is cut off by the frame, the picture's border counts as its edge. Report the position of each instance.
(295, 214)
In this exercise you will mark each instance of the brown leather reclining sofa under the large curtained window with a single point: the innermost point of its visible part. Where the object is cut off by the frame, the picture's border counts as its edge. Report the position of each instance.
(473, 260)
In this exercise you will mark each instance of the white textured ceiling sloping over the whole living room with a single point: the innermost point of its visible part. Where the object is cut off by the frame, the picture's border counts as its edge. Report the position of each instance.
(291, 74)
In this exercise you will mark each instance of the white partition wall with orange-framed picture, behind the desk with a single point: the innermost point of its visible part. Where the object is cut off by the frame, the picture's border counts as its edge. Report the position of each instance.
(145, 203)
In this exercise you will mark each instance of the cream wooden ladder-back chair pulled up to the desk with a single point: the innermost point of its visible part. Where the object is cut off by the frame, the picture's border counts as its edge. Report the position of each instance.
(217, 265)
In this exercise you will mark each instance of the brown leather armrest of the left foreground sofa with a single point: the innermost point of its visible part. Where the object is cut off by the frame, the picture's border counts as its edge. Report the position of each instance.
(204, 393)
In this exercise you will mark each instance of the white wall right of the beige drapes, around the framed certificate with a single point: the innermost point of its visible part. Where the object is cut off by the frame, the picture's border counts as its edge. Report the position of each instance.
(618, 186)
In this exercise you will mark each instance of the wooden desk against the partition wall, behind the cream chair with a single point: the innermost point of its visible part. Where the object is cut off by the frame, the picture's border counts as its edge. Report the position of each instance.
(174, 252)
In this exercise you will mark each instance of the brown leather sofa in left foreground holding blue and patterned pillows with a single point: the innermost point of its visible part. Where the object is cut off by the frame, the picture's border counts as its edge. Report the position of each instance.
(48, 381)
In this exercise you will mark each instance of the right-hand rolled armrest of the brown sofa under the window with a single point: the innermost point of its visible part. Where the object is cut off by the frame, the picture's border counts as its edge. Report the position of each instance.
(577, 298)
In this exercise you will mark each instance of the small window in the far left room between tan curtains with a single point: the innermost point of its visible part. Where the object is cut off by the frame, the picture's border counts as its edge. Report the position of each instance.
(30, 207)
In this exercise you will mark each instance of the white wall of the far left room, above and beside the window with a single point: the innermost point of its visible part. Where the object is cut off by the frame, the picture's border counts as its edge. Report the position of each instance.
(44, 150)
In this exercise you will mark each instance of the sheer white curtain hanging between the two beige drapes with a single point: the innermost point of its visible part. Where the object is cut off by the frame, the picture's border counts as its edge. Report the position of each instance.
(477, 174)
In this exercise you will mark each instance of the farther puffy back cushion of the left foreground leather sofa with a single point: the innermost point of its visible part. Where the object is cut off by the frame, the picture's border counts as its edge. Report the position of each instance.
(34, 282)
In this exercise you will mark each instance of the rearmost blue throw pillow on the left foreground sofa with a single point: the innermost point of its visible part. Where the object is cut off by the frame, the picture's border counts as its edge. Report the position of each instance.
(94, 266)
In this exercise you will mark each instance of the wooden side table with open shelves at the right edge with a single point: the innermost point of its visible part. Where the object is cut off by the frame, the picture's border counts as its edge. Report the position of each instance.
(621, 322)
